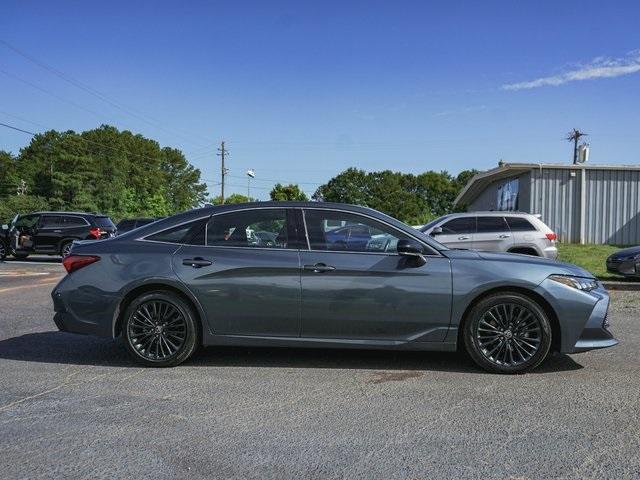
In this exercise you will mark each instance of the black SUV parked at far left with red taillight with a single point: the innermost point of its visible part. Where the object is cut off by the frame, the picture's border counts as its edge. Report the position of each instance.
(52, 233)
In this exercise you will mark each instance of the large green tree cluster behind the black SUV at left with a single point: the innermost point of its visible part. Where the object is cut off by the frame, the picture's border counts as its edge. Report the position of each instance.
(104, 170)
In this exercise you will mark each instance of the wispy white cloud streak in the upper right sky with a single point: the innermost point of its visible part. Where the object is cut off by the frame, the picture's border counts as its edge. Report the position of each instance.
(599, 67)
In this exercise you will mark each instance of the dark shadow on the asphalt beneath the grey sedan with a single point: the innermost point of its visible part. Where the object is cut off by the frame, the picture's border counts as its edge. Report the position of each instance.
(66, 348)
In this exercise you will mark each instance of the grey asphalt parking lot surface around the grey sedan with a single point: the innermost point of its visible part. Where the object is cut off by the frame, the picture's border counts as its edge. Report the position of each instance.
(76, 407)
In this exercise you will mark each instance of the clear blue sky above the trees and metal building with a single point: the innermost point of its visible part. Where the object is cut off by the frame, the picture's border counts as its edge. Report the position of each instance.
(302, 90)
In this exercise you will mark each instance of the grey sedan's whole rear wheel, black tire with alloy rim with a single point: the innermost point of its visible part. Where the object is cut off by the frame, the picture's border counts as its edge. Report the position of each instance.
(155, 323)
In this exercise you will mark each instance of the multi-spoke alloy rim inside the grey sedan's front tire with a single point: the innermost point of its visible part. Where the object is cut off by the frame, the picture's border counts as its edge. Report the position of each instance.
(508, 334)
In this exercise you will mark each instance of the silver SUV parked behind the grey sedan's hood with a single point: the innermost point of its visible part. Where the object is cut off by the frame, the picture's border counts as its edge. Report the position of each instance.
(514, 232)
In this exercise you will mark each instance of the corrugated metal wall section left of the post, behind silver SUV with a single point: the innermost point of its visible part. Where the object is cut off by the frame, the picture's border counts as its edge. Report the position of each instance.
(555, 194)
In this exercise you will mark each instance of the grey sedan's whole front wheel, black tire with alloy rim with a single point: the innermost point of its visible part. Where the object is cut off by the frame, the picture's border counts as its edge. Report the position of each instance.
(507, 333)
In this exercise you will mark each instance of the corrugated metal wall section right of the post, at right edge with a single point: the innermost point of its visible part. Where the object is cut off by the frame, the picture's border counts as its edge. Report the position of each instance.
(612, 207)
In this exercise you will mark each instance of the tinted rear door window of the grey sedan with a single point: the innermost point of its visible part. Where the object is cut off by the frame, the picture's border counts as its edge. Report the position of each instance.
(264, 228)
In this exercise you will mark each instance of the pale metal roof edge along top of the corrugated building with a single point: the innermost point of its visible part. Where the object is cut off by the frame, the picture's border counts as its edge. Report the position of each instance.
(482, 180)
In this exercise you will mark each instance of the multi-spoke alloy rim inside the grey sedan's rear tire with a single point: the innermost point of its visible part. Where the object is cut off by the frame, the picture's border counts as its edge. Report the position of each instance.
(157, 330)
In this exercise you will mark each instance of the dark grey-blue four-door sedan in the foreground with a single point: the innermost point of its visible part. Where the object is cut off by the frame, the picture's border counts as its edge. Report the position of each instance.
(197, 279)
